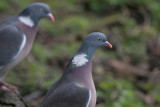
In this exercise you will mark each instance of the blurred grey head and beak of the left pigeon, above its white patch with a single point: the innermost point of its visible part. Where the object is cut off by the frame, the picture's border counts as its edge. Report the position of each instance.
(36, 11)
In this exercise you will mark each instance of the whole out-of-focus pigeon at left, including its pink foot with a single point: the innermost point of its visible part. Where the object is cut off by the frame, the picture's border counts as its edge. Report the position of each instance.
(17, 35)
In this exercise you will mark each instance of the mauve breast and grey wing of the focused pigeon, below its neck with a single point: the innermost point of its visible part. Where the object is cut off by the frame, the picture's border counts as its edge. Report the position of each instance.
(73, 91)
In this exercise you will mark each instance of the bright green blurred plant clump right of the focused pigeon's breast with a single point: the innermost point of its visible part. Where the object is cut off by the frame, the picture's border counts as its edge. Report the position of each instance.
(119, 93)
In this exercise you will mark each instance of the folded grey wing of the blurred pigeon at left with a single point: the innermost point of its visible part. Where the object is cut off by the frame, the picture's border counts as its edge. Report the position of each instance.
(11, 40)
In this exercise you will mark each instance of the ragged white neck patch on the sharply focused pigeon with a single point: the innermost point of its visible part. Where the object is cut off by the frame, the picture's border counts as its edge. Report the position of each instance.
(80, 60)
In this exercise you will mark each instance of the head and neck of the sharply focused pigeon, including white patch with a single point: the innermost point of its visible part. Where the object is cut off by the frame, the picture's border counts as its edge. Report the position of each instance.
(87, 49)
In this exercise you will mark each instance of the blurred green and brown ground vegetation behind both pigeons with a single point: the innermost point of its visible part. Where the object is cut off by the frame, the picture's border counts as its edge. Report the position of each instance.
(126, 76)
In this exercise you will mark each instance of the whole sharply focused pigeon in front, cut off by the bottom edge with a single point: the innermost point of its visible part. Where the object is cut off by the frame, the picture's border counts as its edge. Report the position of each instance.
(76, 87)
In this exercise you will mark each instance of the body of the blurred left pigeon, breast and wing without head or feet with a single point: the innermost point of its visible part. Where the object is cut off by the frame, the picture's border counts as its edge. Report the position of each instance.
(15, 43)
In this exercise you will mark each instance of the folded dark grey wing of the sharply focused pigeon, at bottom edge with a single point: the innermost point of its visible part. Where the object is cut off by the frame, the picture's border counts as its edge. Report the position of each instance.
(68, 95)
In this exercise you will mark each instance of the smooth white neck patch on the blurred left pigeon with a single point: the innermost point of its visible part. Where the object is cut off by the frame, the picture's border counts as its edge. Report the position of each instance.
(26, 20)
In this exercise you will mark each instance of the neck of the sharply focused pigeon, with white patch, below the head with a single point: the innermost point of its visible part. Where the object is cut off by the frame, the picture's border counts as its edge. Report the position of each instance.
(82, 57)
